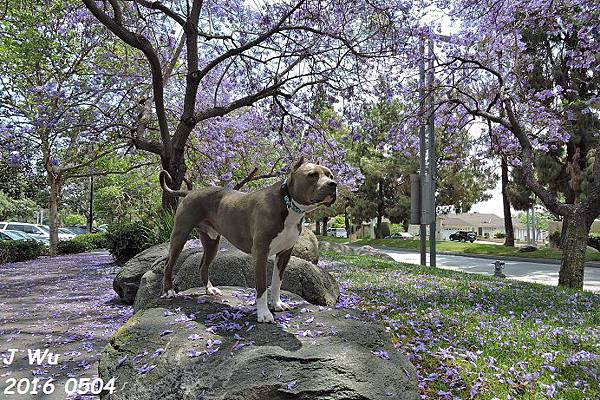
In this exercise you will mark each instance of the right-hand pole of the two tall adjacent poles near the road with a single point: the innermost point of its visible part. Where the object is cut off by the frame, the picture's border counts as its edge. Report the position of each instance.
(432, 157)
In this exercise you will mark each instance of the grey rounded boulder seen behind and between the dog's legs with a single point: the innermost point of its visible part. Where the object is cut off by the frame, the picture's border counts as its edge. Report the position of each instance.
(231, 267)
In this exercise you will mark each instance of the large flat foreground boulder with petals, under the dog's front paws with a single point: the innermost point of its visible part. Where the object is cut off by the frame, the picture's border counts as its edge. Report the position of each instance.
(210, 347)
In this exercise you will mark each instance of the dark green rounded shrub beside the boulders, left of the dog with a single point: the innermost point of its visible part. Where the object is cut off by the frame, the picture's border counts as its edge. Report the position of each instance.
(126, 240)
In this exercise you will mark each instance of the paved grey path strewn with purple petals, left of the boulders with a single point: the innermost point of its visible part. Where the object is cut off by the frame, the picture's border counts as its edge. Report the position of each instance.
(65, 305)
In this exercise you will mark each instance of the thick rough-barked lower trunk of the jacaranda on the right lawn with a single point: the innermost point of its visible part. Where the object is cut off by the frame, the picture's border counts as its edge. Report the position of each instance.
(574, 246)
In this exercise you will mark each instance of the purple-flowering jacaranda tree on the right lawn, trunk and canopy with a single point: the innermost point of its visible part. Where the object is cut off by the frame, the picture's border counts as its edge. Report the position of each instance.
(531, 69)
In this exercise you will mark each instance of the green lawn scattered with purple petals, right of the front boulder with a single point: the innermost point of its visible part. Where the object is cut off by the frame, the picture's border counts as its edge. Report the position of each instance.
(473, 336)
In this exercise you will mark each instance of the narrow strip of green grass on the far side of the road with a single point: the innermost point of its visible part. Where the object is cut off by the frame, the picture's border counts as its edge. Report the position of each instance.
(467, 248)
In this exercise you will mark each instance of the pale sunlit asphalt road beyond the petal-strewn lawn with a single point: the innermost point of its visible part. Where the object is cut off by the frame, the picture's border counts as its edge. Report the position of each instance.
(520, 270)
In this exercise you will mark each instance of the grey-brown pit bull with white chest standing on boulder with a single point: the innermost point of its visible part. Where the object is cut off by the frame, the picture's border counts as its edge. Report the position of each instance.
(262, 223)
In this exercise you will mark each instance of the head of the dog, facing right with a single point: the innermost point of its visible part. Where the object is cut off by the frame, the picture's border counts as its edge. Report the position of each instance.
(312, 184)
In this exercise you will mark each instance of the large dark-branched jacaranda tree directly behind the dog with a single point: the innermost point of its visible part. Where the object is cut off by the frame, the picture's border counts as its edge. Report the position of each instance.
(228, 56)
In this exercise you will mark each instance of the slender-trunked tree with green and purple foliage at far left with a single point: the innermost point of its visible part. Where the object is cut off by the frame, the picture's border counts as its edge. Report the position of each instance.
(58, 103)
